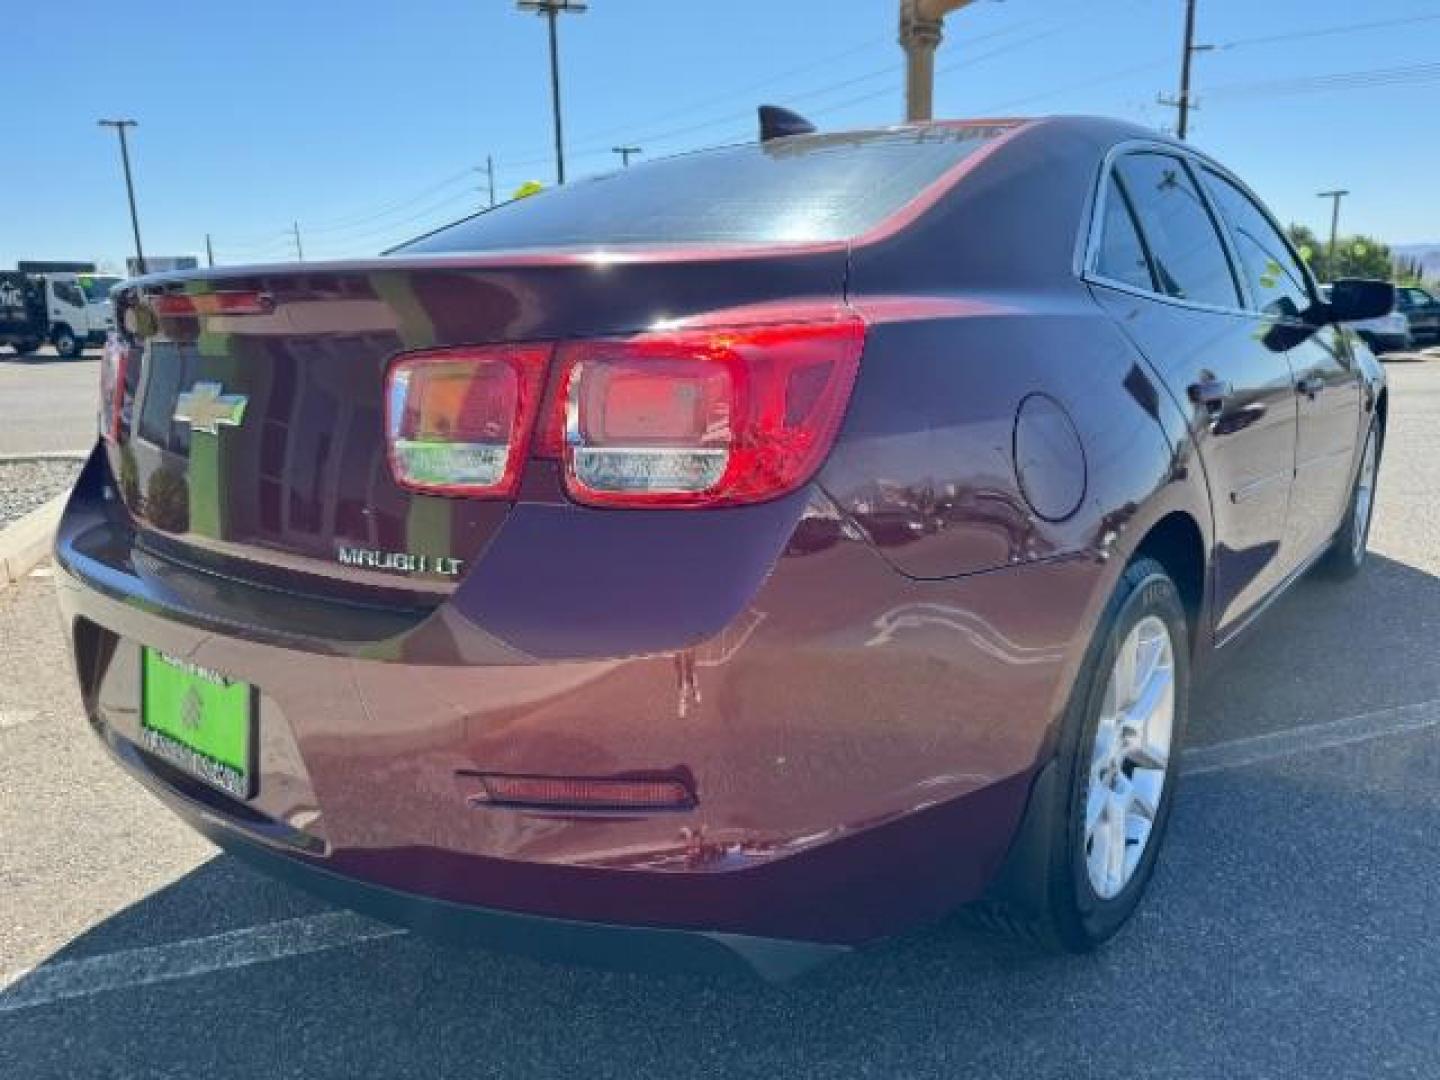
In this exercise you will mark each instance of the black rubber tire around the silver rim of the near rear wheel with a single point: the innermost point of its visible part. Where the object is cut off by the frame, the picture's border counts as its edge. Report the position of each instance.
(1045, 894)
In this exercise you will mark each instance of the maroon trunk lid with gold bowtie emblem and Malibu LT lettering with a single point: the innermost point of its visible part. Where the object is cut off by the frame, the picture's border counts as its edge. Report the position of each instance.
(250, 437)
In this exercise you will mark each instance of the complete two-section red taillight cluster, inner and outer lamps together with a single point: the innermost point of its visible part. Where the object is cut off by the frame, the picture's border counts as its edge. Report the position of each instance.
(689, 418)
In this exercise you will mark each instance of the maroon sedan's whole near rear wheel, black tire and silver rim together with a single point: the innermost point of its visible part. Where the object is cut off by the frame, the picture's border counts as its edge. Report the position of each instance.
(1098, 820)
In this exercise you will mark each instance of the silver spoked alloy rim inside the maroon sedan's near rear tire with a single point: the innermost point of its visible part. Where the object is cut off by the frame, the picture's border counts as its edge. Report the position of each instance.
(1131, 757)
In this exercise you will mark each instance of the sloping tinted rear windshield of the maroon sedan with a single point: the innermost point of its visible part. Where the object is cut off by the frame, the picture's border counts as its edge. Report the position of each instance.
(800, 189)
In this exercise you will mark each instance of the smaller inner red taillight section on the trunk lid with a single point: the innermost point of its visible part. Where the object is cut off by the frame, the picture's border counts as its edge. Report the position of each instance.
(459, 421)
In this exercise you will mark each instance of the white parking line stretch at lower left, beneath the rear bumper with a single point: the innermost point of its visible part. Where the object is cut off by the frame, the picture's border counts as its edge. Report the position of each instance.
(127, 968)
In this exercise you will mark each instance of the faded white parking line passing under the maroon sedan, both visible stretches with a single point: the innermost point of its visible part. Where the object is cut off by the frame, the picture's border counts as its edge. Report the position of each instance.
(68, 980)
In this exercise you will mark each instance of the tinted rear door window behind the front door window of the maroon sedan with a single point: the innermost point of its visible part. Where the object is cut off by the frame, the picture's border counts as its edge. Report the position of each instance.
(1186, 250)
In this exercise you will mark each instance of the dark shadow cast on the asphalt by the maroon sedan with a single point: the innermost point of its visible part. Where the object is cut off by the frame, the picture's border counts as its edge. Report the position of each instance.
(1290, 928)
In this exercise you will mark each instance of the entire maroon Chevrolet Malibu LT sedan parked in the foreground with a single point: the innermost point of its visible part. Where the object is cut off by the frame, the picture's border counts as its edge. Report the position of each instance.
(738, 558)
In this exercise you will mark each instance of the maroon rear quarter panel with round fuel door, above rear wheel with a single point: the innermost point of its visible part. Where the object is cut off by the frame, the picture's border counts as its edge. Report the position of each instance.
(976, 309)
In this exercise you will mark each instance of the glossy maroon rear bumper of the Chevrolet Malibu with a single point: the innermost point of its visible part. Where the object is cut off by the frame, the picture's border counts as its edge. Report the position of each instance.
(862, 747)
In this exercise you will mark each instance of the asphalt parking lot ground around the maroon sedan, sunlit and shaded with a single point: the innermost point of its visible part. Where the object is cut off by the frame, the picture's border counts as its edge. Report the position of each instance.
(1291, 930)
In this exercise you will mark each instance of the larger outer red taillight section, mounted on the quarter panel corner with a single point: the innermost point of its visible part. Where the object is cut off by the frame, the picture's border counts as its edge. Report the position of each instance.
(703, 417)
